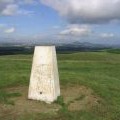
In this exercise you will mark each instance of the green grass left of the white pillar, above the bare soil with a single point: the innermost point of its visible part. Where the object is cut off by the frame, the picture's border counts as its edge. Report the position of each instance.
(14, 70)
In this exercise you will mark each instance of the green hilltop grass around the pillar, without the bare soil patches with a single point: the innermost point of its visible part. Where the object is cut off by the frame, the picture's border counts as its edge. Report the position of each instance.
(99, 71)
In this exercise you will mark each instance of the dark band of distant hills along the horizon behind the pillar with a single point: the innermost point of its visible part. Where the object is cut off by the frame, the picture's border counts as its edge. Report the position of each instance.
(6, 48)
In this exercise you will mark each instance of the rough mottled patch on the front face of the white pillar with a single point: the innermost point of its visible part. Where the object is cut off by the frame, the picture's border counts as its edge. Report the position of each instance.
(43, 75)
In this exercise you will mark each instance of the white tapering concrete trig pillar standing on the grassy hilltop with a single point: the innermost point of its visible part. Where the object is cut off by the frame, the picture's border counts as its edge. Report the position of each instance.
(44, 80)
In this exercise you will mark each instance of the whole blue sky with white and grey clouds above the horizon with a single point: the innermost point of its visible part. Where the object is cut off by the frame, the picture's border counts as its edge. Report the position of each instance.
(60, 21)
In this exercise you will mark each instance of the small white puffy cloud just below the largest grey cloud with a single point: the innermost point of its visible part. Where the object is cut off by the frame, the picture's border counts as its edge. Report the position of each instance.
(76, 30)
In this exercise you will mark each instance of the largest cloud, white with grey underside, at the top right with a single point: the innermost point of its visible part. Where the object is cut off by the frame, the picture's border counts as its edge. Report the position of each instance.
(86, 11)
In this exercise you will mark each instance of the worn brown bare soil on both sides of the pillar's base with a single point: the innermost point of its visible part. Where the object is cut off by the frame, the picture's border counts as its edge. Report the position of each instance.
(77, 97)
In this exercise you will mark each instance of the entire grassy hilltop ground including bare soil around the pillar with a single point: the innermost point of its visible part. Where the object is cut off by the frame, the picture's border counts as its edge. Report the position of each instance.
(90, 88)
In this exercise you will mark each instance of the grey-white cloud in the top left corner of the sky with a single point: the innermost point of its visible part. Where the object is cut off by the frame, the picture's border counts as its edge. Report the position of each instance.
(12, 7)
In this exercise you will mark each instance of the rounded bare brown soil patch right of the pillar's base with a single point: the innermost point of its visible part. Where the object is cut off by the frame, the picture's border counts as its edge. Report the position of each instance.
(79, 97)
